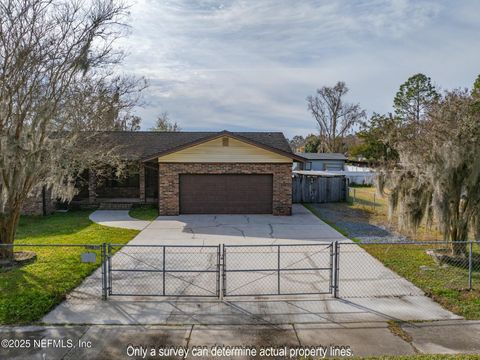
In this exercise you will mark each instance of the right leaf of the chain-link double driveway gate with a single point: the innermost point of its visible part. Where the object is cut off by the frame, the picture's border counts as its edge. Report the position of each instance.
(262, 270)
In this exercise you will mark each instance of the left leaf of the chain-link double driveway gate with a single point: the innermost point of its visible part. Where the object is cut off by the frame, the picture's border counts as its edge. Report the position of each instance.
(158, 270)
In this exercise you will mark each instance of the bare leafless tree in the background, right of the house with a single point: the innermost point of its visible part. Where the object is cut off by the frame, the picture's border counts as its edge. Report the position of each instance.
(334, 116)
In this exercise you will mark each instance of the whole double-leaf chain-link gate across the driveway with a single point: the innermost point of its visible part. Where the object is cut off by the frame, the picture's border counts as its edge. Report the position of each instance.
(218, 271)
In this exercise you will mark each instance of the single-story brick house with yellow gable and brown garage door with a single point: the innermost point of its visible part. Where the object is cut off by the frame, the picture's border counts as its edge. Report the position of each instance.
(196, 173)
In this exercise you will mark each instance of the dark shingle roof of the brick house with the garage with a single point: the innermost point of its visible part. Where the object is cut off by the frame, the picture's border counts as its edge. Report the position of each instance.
(136, 145)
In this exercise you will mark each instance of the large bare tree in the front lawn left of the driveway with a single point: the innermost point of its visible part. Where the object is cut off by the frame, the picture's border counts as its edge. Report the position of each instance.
(55, 56)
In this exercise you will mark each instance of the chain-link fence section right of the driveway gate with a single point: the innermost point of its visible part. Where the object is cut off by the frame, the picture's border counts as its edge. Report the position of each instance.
(392, 269)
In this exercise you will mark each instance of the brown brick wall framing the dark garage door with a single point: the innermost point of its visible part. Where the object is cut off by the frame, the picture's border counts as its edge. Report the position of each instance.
(168, 183)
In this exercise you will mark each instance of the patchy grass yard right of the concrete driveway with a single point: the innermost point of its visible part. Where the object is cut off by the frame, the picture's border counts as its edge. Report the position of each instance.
(446, 284)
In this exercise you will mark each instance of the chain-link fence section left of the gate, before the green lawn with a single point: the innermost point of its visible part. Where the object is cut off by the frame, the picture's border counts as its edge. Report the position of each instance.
(49, 271)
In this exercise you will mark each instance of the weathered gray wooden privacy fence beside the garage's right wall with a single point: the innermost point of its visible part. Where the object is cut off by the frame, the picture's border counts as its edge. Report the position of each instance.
(319, 189)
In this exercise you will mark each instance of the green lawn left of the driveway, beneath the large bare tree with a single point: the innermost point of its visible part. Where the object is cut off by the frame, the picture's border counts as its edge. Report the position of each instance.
(30, 291)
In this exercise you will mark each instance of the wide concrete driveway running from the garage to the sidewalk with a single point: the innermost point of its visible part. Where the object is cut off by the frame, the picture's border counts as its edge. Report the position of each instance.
(370, 291)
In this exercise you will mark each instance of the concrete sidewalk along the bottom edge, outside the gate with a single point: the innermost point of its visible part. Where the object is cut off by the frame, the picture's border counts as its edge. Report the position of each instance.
(365, 339)
